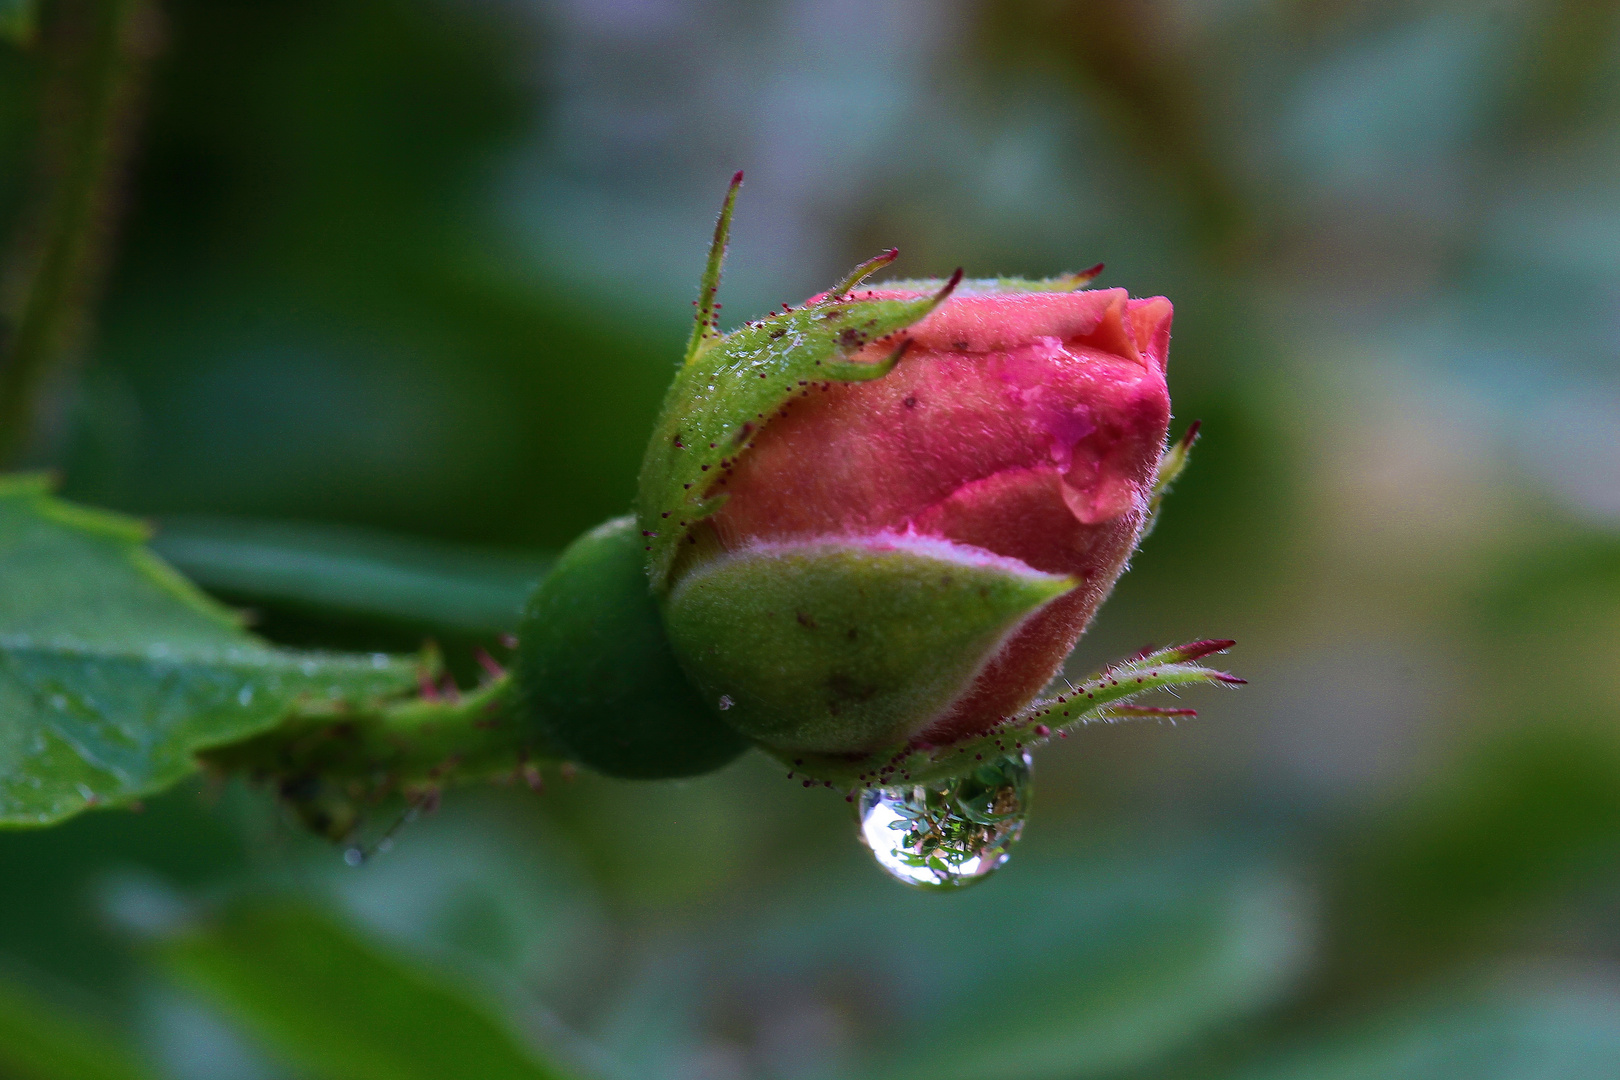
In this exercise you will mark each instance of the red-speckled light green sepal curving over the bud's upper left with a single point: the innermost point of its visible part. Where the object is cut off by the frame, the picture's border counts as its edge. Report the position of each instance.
(736, 386)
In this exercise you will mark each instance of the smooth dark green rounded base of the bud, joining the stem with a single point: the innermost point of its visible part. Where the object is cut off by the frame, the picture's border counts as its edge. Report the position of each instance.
(595, 671)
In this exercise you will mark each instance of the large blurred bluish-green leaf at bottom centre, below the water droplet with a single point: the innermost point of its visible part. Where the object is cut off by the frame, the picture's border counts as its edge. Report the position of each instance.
(1042, 974)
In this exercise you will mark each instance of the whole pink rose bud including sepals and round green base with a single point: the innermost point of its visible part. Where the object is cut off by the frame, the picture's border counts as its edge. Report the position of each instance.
(871, 529)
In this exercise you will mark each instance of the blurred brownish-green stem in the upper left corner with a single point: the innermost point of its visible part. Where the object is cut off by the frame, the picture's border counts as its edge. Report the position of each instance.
(96, 56)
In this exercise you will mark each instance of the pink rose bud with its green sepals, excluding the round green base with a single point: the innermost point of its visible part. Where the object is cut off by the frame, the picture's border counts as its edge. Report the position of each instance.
(884, 519)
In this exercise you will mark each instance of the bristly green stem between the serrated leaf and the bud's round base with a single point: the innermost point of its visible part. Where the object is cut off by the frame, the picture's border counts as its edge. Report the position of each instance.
(330, 763)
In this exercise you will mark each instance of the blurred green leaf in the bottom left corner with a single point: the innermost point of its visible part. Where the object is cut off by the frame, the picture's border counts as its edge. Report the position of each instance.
(41, 1044)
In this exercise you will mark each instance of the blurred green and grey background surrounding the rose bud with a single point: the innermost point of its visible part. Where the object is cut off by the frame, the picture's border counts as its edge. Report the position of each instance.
(391, 292)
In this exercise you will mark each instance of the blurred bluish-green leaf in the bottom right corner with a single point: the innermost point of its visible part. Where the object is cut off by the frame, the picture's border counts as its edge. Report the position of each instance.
(1540, 1034)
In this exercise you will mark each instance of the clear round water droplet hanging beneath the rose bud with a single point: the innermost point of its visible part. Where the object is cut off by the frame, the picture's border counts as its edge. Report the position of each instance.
(952, 833)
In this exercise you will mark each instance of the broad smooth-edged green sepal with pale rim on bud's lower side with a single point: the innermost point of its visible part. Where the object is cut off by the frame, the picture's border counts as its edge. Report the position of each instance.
(846, 645)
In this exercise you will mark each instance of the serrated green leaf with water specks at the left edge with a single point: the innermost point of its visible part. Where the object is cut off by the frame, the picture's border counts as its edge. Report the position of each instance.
(114, 671)
